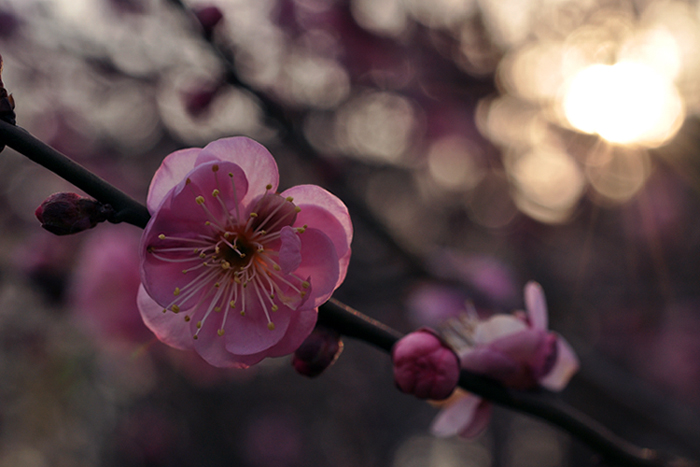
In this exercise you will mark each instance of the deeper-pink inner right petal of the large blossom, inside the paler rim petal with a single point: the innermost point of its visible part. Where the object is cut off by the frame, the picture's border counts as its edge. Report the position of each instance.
(319, 263)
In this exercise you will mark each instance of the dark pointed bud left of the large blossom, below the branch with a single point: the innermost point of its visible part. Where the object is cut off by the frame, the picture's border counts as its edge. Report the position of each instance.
(69, 213)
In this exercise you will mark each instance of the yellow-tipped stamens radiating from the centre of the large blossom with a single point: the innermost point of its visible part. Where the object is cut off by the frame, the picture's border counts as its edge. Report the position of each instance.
(233, 259)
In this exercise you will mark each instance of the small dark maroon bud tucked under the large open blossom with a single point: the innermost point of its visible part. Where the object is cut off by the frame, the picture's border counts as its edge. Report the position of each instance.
(319, 351)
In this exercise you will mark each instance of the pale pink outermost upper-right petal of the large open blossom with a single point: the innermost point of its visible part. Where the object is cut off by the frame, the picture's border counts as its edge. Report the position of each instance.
(324, 211)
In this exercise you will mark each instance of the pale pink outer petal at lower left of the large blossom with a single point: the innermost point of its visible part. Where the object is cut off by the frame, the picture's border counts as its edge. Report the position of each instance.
(168, 327)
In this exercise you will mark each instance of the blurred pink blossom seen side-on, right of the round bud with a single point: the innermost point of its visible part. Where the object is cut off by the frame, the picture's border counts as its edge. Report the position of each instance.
(516, 350)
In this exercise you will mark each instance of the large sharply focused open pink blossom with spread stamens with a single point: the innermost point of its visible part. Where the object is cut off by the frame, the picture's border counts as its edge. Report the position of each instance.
(231, 268)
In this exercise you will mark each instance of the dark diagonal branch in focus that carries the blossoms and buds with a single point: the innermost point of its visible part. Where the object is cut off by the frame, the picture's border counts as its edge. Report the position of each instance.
(352, 323)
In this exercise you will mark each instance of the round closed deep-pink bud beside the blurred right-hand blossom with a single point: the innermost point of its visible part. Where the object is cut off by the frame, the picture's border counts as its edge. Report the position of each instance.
(425, 366)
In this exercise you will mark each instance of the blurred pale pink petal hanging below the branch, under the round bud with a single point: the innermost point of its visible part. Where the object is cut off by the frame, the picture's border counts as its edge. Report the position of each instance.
(461, 417)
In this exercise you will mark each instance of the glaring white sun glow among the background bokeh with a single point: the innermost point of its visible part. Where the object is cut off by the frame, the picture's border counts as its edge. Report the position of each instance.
(625, 103)
